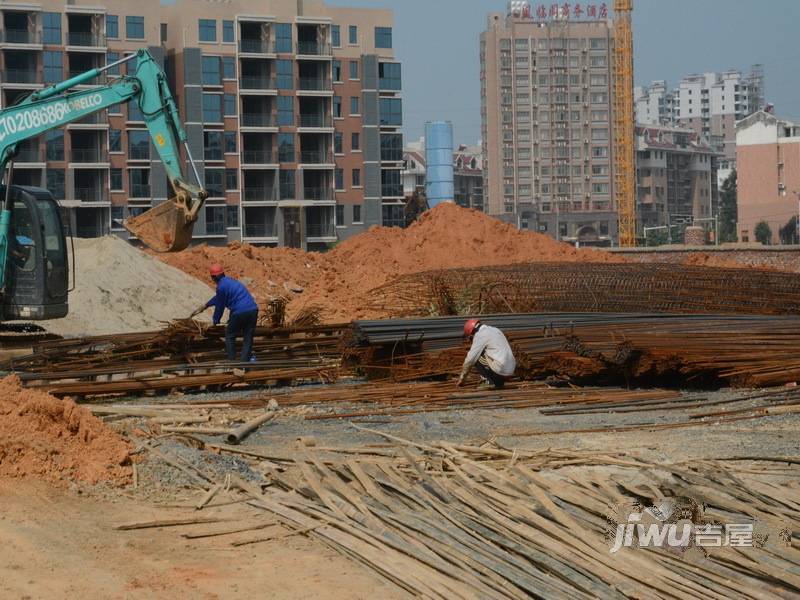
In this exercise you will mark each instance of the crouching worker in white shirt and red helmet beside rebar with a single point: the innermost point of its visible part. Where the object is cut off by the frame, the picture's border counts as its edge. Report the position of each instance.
(490, 354)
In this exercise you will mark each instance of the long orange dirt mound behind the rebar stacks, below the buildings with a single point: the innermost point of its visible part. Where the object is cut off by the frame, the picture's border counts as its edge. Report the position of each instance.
(446, 237)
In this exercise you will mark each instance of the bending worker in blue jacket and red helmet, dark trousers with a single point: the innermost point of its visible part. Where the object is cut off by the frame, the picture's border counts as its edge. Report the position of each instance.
(243, 312)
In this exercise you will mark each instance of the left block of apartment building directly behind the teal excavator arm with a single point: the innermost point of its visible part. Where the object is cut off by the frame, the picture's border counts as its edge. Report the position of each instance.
(83, 163)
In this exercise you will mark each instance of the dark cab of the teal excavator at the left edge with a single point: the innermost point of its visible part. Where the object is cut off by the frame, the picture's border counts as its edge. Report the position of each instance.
(37, 258)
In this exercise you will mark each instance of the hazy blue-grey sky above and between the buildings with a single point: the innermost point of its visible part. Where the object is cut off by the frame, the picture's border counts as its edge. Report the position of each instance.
(438, 43)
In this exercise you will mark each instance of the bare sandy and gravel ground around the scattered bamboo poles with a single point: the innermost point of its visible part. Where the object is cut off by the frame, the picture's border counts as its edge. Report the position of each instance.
(61, 542)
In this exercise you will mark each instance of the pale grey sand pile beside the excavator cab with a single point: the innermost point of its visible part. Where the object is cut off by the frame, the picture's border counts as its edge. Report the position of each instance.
(122, 289)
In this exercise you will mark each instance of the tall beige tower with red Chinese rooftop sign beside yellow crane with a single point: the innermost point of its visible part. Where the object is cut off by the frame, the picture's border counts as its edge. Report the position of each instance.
(546, 121)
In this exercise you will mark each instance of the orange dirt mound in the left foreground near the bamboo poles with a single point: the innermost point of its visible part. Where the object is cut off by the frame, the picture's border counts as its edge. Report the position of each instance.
(47, 438)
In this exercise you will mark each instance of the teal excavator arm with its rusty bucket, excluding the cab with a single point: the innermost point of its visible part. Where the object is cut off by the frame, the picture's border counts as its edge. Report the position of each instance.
(165, 228)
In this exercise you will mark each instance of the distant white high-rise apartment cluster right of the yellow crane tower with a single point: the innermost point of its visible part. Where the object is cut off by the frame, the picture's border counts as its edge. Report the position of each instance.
(708, 103)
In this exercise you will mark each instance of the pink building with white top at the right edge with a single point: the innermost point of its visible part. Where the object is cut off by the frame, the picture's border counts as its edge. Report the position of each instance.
(768, 171)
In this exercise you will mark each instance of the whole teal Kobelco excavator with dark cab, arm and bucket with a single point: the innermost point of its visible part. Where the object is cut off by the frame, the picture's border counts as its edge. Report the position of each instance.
(34, 271)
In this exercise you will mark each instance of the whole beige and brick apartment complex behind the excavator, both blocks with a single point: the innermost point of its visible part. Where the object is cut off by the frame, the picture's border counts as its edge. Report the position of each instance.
(292, 110)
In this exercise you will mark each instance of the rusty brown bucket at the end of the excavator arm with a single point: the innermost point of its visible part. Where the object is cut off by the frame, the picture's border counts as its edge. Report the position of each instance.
(165, 228)
